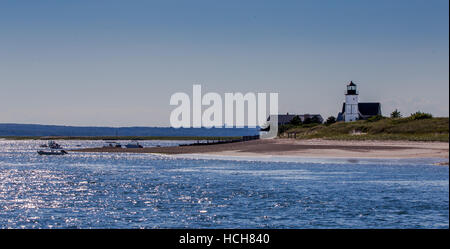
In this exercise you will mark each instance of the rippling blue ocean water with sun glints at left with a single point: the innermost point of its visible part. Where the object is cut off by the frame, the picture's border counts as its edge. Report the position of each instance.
(100, 190)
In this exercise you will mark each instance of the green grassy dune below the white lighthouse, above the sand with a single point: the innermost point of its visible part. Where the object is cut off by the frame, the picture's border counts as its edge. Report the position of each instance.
(418, 127)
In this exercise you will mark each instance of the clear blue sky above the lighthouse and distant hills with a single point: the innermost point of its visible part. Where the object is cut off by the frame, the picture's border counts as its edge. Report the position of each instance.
(117, 63)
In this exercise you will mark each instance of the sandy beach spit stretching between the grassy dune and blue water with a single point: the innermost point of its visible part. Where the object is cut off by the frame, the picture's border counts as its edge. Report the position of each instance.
(304, 148)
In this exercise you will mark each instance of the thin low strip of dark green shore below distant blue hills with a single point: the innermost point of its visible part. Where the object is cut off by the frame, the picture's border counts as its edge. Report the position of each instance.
(120, 138)
